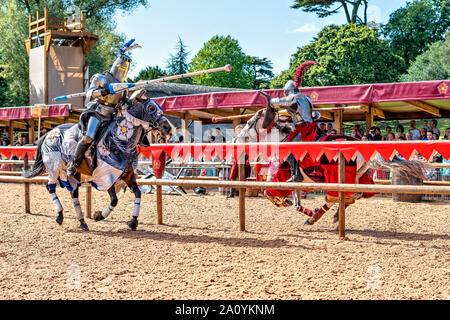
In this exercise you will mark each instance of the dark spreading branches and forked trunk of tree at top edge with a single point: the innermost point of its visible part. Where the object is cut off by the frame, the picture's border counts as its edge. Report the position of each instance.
(325, 8)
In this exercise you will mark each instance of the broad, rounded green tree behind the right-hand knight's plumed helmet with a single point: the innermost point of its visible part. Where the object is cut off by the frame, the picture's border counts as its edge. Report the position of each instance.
(348, 54)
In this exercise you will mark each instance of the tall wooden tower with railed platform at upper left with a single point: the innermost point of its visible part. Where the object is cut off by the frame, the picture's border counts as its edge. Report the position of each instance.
(57, 49)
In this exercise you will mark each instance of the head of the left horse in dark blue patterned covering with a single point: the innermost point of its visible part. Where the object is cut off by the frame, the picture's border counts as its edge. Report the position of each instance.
(142, 107)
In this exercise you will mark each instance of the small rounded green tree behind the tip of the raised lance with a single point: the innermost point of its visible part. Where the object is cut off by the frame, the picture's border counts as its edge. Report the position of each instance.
(217, 52)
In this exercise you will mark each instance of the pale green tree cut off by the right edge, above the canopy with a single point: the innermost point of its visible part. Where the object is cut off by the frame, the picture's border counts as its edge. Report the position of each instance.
(433, 64)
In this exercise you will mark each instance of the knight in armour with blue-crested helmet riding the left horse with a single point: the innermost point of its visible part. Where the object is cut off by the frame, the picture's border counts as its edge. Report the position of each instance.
(102, 103)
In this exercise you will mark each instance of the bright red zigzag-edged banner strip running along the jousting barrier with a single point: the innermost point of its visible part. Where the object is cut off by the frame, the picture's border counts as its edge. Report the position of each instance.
(367, 149)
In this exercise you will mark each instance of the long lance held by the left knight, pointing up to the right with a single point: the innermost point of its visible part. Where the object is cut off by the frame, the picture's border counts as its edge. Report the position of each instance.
(114, 88)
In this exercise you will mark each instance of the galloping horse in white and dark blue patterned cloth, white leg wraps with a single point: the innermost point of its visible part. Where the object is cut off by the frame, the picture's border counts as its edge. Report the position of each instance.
(109, 163)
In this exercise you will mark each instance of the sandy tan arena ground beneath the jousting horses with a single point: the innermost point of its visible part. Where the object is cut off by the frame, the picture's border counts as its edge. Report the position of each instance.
(395, 250)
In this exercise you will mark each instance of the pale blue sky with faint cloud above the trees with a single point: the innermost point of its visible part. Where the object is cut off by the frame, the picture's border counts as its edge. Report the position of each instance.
(263, 28)
